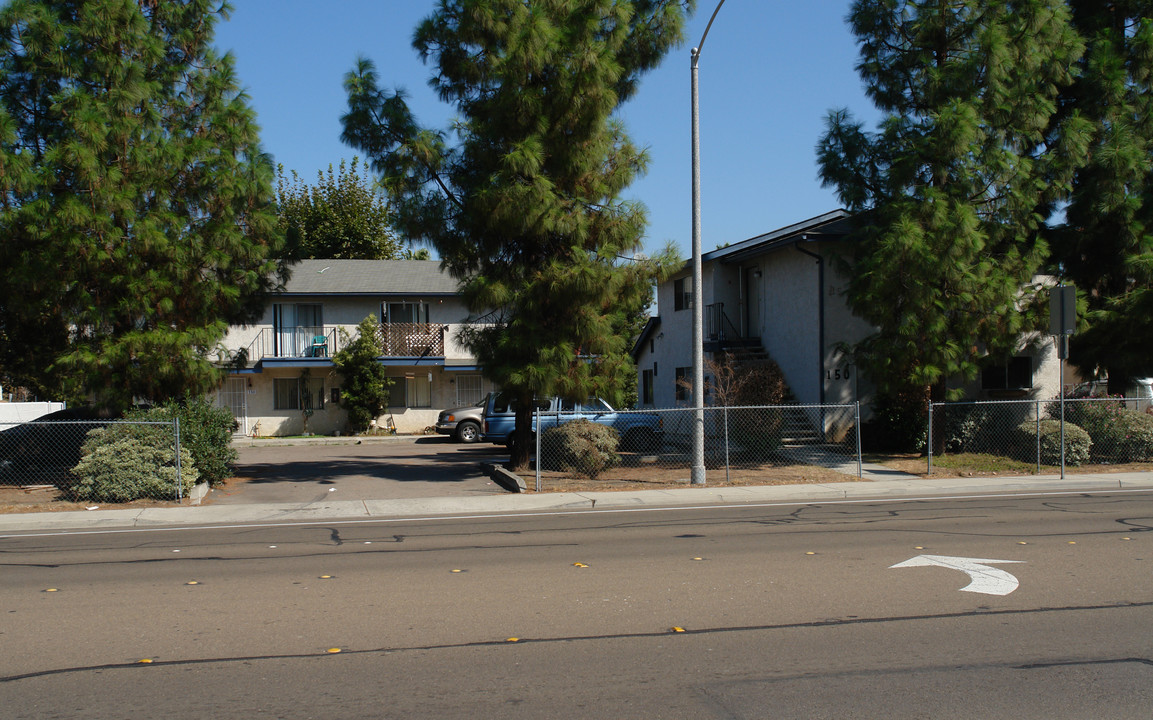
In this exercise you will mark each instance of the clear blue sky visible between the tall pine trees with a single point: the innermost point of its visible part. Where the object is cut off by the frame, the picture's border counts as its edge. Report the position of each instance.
(770, 73)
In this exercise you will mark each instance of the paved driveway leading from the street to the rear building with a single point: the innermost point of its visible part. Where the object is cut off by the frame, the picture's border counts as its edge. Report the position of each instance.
(376, 469)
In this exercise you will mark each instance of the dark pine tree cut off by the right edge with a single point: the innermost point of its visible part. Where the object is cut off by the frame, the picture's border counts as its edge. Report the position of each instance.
(1105, 246)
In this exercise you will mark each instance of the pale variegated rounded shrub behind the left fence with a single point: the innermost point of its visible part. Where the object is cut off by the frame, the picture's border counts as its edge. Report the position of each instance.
(127, 462)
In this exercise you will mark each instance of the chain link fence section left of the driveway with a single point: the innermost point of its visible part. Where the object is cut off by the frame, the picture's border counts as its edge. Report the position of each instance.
(96, 461)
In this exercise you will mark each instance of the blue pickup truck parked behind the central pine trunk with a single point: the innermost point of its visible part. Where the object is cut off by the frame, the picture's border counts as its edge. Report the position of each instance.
(639, 431)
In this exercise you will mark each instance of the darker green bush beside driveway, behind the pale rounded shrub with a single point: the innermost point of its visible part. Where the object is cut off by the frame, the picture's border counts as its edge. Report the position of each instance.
(206, 432)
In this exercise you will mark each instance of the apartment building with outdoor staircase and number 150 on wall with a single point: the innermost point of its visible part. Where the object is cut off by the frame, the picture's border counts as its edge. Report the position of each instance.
(785, 294)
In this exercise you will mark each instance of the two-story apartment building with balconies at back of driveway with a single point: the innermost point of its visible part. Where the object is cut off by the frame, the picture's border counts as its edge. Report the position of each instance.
(285, 382)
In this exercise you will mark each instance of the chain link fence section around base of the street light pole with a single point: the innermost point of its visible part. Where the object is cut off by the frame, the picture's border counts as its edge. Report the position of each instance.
(642, 447)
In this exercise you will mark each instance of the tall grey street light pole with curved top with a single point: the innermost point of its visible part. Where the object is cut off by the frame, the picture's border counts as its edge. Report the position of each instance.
(698, 472)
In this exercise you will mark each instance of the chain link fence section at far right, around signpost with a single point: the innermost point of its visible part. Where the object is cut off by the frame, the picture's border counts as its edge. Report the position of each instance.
(1096, 432)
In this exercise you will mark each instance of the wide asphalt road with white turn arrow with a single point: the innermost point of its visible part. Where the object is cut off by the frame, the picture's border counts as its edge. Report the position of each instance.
(722, 613)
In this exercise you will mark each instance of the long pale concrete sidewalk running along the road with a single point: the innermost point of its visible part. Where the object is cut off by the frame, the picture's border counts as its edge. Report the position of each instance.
(546, 502)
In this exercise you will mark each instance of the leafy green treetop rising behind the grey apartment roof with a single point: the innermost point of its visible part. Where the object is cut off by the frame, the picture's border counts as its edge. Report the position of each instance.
(342, 216)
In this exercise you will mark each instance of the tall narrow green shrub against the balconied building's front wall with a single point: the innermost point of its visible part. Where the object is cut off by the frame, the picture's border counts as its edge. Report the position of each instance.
(365, 393)
